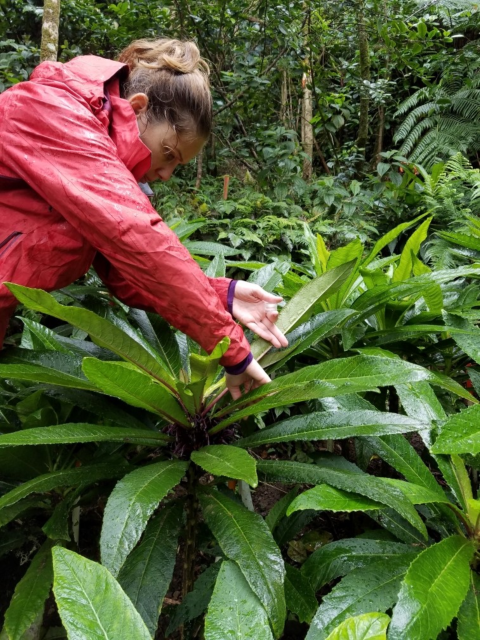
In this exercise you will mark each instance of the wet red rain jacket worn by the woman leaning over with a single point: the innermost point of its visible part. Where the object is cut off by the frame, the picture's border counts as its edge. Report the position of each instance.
(70, 159)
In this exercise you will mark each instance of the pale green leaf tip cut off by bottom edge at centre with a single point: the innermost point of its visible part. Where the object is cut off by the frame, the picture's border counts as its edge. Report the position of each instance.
(235, 612)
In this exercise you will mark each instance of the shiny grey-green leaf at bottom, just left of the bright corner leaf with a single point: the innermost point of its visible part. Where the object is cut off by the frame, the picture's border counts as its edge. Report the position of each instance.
(373, 587)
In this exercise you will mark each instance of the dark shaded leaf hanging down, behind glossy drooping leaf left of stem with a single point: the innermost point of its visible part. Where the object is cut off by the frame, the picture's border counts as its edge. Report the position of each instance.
(148, 570)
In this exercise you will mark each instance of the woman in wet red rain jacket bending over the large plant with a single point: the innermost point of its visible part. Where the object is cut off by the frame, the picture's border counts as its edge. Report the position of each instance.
(76, 140)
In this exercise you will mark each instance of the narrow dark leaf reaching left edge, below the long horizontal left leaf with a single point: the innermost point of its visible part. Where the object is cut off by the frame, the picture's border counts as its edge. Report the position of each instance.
(64, 478)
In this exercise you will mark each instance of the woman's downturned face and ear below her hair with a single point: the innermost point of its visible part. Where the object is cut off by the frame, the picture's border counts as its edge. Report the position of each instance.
(168, 148)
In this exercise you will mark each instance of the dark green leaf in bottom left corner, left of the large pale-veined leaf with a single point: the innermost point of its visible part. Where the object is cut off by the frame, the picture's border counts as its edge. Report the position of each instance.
(28, 601)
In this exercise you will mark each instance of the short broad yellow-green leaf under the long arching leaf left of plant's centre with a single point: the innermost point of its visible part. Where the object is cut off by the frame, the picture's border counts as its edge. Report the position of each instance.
(123, 381)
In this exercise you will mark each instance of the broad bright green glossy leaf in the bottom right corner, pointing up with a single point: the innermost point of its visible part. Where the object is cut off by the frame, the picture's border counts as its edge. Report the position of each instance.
(433, 589)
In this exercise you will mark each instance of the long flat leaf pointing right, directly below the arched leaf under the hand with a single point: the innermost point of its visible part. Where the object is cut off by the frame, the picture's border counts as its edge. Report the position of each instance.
(332, 425)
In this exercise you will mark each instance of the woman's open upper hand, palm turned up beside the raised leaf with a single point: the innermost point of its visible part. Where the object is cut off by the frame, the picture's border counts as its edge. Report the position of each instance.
(249, 309)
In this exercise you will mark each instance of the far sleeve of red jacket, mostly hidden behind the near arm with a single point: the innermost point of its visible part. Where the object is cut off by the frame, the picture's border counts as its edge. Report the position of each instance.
(134, 297)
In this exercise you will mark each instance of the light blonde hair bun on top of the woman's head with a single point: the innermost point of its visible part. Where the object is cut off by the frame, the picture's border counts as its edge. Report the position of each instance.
(163, 54)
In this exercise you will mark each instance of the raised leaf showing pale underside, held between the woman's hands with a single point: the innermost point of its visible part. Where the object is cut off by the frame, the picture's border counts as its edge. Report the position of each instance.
(316, 290)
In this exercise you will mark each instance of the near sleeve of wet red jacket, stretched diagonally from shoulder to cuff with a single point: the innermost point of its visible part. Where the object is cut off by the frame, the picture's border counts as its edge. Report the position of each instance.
(52, 140)
